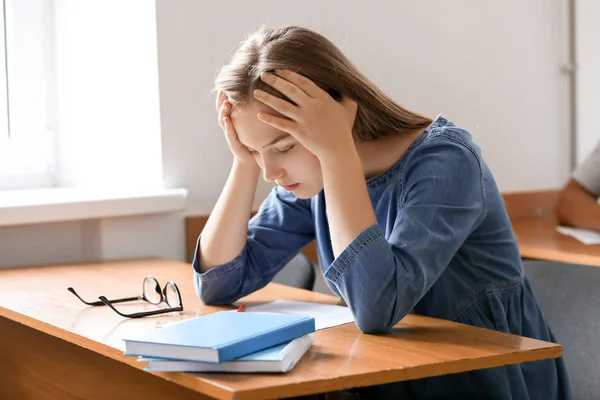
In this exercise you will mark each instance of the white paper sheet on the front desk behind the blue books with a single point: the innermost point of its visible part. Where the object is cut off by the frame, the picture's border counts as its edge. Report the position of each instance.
(325, 315)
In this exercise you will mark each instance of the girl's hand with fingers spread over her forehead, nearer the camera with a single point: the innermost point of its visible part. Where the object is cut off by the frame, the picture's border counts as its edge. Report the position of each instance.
(321, 124)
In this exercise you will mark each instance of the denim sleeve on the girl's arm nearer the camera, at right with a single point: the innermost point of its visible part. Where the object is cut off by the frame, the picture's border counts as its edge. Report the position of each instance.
(439, 205)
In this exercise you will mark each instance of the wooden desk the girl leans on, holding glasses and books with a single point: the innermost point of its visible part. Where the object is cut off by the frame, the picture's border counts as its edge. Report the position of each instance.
(55, 347)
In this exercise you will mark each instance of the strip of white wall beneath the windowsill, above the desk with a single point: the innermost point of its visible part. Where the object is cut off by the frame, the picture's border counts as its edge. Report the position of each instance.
(159, 235)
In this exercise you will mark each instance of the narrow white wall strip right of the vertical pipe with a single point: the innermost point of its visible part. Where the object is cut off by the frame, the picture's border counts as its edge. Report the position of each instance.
(588, 76)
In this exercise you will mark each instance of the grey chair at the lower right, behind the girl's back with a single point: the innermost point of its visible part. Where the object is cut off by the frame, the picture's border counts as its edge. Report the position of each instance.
(569, 296)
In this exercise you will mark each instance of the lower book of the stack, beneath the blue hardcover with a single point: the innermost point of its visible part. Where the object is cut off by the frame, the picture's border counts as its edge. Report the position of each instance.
(276, 359)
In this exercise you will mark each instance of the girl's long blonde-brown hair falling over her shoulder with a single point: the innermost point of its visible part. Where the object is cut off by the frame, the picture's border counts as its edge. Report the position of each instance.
(315, 57)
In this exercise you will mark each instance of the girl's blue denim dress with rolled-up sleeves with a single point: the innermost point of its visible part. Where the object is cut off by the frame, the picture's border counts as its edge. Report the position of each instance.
(443, 246)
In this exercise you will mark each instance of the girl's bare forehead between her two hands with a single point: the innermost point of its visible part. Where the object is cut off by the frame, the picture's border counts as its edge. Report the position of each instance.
(251, 131)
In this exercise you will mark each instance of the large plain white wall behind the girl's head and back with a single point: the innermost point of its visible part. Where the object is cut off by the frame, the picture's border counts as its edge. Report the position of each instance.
(493, 67)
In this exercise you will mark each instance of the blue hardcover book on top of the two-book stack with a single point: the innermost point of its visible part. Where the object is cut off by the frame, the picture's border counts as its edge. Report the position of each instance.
(220, 336)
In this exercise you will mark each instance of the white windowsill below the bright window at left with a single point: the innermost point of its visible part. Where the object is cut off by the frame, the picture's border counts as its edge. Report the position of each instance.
(19, 207)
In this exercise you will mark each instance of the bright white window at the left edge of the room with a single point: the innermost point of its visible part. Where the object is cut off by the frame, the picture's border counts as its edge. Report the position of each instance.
(27, 129)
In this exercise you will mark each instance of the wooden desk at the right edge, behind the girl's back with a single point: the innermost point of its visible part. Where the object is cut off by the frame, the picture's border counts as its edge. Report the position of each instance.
(538, 239)
